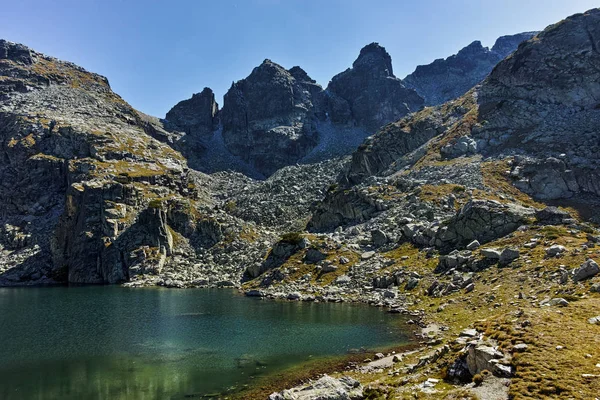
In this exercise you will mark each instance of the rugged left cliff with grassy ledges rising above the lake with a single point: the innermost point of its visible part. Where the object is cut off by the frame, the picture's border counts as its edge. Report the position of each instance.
(79, 176)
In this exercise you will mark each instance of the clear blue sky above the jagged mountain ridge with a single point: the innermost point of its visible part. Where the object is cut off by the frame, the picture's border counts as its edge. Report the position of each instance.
(158, 53)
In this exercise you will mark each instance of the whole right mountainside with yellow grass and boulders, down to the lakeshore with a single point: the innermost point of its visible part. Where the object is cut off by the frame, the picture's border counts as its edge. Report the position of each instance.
(478, 219)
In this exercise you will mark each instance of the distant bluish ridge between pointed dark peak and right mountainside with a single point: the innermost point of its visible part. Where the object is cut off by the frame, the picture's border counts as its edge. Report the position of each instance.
(447, 79)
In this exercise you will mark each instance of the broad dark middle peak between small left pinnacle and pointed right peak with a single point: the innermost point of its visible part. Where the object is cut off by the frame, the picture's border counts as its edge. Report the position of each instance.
(267, 118)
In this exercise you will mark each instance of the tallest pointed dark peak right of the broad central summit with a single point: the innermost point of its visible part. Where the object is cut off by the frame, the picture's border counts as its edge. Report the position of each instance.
(369, 94)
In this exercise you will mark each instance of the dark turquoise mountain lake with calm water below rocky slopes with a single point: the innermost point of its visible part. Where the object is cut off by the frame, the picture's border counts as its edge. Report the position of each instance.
(116, 343)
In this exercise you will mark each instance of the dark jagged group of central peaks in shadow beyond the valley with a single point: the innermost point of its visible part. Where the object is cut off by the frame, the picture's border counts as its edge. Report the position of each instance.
(277, 117)
